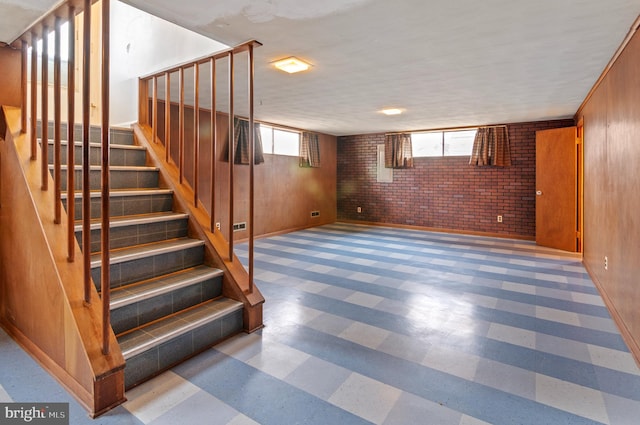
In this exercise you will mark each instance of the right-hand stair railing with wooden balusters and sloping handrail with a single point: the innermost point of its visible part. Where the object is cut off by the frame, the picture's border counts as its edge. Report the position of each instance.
(149, 106)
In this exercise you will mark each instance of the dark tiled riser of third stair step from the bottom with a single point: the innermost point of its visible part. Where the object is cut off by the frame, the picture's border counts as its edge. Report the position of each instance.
(153, 266)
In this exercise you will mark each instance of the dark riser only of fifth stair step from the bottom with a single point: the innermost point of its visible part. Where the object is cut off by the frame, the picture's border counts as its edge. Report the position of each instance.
(120, 206)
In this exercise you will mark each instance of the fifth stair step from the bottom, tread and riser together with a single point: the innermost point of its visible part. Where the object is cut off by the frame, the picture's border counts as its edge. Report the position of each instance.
(124, 202)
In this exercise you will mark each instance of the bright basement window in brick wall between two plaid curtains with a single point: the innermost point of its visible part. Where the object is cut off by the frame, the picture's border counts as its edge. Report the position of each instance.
(442, 143)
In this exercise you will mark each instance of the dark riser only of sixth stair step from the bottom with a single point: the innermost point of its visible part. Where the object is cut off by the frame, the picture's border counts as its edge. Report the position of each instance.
(119, 179)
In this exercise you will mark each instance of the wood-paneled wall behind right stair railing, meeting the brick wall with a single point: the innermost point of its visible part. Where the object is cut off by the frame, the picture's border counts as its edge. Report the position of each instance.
(285, 194)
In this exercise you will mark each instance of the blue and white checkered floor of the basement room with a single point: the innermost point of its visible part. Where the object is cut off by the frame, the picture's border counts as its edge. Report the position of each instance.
(392, 326)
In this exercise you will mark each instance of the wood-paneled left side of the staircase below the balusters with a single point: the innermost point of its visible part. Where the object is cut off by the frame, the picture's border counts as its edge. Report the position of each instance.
(41, 295)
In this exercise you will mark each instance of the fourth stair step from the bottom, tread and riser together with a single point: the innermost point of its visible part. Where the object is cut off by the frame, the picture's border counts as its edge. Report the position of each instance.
(136, 230)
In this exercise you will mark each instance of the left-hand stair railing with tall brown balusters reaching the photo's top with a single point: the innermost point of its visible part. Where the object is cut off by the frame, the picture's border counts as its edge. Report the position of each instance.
(66, 12)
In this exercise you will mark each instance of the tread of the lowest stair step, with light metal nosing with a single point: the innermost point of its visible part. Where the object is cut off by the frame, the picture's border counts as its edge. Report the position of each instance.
(156, 333)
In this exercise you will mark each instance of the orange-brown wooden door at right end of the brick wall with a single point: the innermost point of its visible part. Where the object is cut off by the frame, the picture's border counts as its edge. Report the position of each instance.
(556, 188)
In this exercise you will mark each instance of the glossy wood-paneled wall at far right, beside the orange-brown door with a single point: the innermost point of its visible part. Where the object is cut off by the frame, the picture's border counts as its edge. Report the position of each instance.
(611, 119)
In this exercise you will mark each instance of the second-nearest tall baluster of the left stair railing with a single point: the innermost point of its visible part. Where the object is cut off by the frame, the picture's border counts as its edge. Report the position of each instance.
(86, 194)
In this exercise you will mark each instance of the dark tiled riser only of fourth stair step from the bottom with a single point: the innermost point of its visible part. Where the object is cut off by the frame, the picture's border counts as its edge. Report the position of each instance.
(138, 234)
